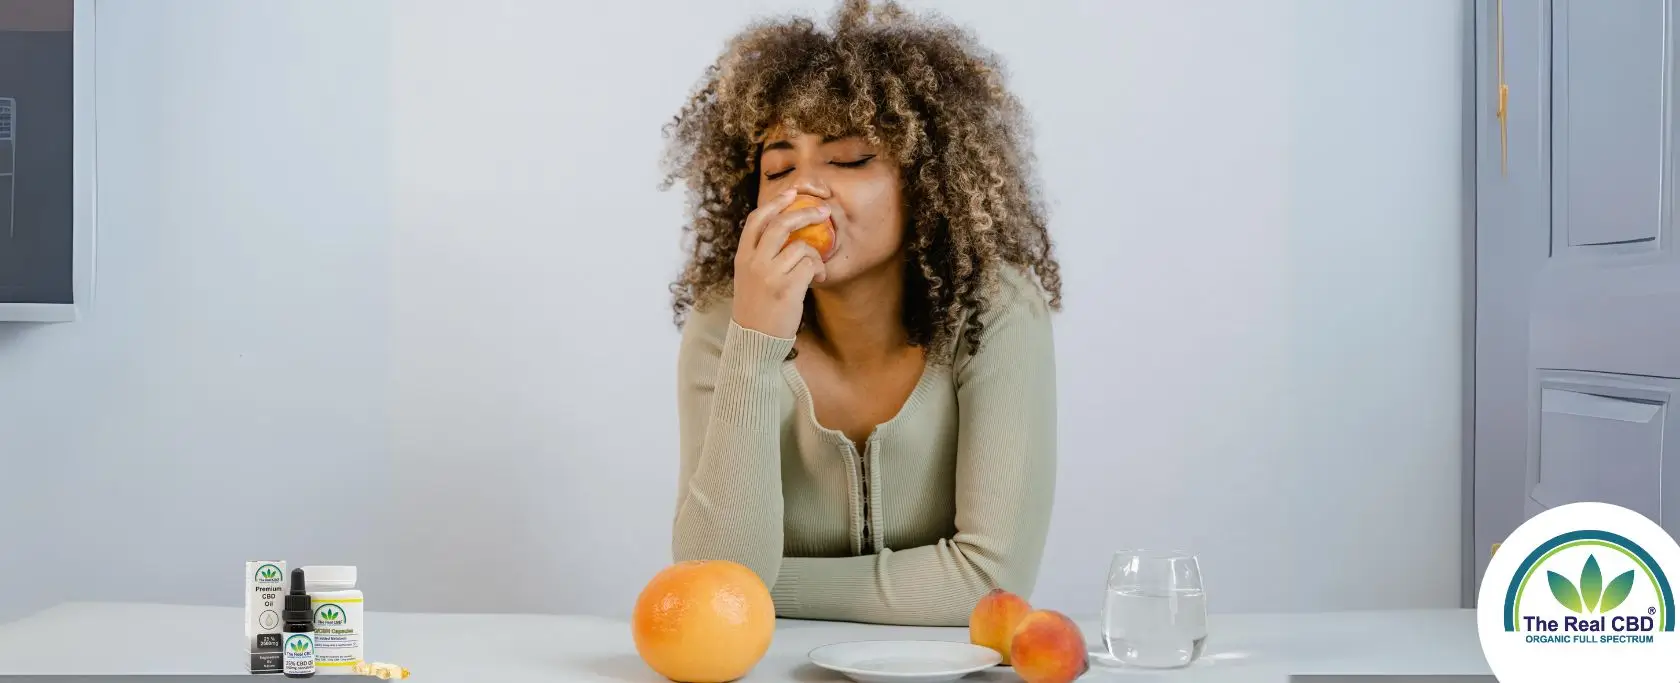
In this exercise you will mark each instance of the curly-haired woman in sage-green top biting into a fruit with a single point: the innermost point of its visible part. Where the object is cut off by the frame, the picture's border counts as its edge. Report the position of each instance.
(873, 434)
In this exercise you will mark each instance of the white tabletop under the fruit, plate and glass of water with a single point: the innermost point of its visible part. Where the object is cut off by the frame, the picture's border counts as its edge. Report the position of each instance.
(103, 639)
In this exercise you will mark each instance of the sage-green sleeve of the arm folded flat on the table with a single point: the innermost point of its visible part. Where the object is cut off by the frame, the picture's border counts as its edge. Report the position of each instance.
(1005, 481)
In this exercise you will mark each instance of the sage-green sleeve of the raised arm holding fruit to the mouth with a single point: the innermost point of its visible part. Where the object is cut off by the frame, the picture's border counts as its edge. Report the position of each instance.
(730, 476)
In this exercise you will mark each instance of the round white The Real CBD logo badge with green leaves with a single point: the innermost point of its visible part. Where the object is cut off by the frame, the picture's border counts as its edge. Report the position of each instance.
(1582, 593)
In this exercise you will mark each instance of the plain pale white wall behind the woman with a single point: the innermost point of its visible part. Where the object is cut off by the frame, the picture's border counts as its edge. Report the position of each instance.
(1256, 207)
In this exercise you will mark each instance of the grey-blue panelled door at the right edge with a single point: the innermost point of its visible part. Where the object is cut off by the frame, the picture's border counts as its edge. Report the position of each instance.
(1578, 281)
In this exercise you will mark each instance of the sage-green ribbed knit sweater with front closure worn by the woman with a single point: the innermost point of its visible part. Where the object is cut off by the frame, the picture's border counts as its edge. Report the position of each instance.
(947, 501)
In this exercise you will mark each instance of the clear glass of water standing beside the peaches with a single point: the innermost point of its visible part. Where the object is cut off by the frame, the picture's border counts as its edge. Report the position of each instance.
(1157, 613)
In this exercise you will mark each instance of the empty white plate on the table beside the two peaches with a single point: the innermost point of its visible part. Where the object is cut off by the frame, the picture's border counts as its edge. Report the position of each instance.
(905, 662)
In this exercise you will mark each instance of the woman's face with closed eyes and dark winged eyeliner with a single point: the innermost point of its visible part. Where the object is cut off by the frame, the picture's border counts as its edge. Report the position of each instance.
(861, 187)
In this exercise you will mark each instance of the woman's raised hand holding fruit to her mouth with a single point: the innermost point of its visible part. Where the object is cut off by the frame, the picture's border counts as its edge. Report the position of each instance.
(770, 279)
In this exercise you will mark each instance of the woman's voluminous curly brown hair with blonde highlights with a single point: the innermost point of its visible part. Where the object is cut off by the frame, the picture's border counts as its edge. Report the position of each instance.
(921, 90)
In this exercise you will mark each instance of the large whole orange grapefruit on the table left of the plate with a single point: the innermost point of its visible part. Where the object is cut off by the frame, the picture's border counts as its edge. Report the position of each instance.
(703, 622)
